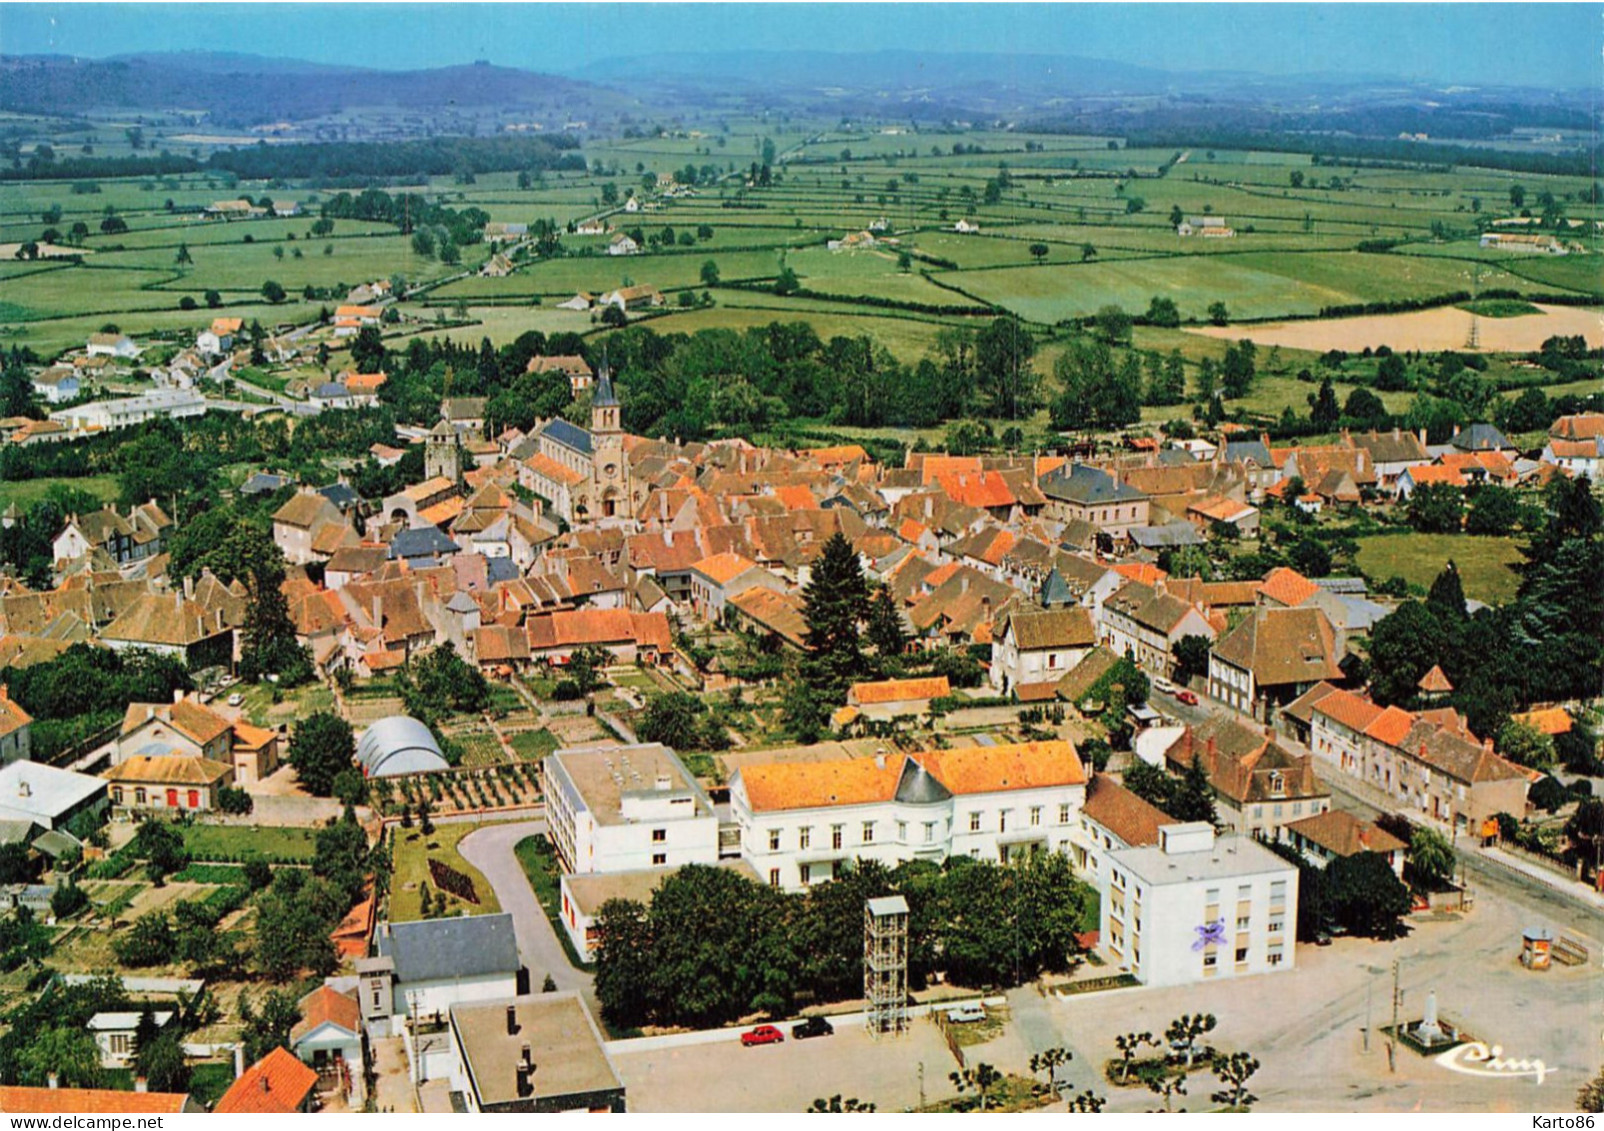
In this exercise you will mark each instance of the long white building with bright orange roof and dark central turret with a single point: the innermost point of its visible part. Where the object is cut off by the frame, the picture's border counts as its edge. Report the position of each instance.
(803, 822)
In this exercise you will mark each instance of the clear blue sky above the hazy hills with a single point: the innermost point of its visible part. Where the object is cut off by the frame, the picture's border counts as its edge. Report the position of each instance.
(1550, 46)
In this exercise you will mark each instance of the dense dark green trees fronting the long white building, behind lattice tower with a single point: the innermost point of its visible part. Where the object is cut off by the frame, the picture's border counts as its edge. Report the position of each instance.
(715, 947)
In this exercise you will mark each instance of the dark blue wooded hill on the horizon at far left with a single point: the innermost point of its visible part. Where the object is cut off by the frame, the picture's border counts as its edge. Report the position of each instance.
(249, 91)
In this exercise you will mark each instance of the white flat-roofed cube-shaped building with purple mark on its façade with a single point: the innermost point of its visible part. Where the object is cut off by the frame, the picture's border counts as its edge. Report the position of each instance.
(1197, 907)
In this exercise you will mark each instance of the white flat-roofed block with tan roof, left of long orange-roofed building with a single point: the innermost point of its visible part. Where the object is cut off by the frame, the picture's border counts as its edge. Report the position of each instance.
(625, 809)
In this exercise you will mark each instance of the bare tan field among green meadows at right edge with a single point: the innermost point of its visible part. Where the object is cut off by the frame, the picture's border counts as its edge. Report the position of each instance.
(1446, 328)
